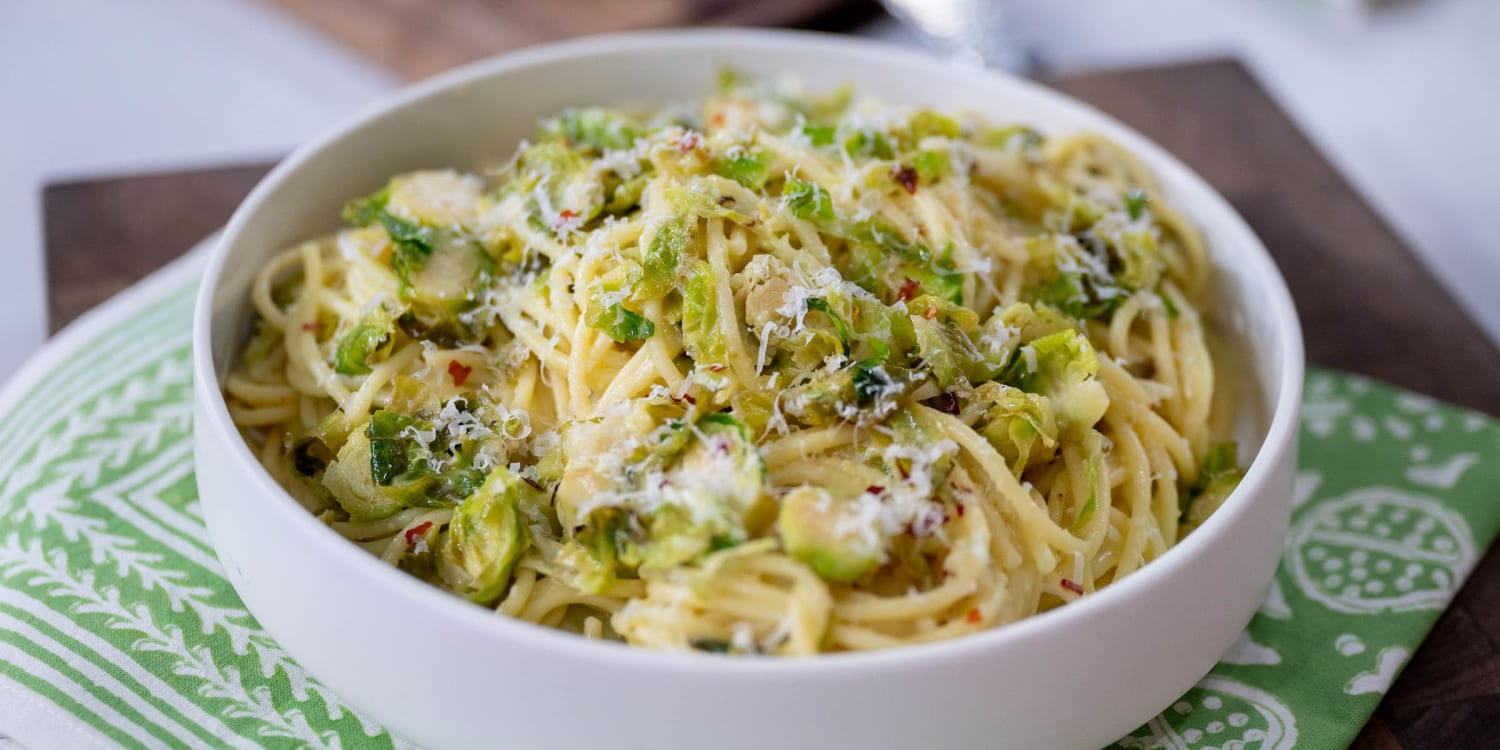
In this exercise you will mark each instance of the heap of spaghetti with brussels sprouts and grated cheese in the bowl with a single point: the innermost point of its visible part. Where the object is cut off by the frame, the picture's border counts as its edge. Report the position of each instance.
(778, 374)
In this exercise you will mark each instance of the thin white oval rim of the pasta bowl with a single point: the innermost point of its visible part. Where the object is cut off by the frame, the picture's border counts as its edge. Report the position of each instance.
(409, 592)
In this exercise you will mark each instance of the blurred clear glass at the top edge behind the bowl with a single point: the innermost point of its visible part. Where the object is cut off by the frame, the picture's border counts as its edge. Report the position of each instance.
(976, 32)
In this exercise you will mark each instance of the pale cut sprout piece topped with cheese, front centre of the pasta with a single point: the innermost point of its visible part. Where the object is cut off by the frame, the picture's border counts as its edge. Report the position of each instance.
(830, 536)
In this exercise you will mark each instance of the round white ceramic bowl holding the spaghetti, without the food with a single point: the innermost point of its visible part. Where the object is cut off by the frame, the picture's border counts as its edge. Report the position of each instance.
(451, 674)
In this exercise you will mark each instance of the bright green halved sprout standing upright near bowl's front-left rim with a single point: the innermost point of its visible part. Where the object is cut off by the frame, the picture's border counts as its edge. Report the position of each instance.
(484, 539)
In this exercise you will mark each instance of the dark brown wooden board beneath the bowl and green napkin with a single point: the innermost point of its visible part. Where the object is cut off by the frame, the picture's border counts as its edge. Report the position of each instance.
(1367, 307)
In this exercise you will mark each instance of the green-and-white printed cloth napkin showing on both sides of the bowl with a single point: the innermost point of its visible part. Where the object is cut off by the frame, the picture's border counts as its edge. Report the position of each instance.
(119, 629)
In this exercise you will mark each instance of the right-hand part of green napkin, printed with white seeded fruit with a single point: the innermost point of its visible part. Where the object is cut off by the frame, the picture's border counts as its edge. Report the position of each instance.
(1396, 500)
